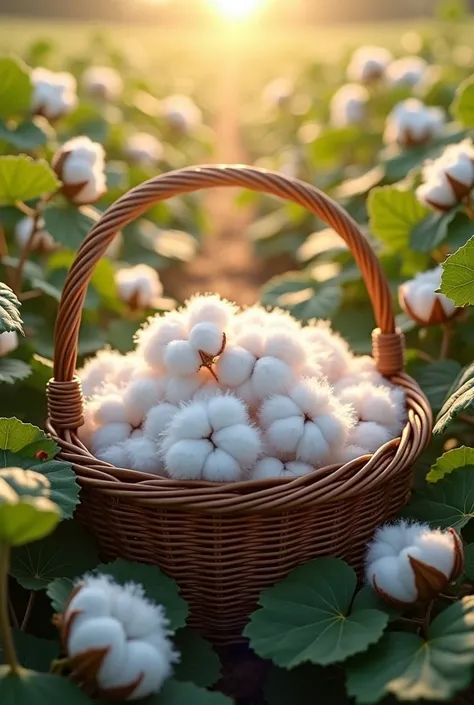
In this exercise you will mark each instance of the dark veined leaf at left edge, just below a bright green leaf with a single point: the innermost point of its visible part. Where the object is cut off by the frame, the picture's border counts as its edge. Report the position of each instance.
(60, 475)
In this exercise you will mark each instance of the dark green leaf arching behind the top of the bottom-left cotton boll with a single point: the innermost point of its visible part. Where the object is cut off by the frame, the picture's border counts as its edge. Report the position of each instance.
(158, 587)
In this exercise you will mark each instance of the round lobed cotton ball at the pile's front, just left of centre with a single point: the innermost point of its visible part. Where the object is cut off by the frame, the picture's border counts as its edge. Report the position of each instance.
(211, 439)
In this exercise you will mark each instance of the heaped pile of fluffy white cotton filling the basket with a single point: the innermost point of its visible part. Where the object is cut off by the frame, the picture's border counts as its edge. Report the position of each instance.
(215, 393)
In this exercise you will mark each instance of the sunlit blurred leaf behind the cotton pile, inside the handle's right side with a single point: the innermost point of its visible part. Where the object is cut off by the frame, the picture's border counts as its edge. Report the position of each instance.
(304, 297)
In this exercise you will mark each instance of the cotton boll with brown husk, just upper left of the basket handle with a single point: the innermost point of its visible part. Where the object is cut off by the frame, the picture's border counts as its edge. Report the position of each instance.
(80, 164)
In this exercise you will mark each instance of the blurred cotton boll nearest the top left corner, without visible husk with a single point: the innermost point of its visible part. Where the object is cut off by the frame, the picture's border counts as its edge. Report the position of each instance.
(54, 94)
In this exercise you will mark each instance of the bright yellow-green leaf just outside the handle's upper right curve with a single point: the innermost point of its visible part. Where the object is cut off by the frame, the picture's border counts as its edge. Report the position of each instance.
(393, 215)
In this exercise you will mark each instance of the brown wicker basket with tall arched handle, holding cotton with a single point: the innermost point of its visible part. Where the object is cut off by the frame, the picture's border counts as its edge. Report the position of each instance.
(223, 543)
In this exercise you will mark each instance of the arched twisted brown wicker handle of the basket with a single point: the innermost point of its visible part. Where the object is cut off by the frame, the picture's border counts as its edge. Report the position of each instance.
(387, 342)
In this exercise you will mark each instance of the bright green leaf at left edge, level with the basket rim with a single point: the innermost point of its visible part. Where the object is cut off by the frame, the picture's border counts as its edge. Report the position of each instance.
(25, 439)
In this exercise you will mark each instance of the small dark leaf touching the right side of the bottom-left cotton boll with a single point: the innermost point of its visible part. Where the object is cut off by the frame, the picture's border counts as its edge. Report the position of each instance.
(199, 662)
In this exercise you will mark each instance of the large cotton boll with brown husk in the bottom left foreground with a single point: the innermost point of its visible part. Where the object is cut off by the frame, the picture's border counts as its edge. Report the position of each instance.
(117, 642)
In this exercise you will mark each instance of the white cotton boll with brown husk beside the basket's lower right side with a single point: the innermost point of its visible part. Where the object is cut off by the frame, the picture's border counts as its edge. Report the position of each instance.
(410, 562)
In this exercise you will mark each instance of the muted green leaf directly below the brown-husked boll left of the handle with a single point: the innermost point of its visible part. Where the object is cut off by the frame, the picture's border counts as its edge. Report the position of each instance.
(69, 224)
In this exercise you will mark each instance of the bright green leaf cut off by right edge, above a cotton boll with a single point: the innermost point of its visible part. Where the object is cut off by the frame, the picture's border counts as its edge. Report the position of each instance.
(457, 282)
